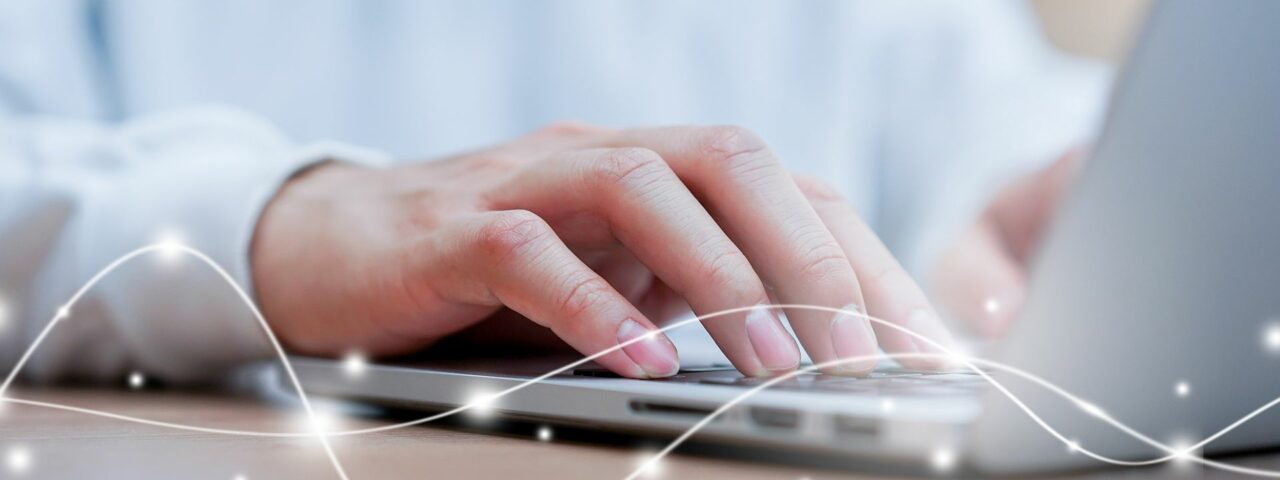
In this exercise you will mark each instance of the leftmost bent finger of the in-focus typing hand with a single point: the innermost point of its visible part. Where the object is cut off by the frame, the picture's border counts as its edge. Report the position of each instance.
(515, 259)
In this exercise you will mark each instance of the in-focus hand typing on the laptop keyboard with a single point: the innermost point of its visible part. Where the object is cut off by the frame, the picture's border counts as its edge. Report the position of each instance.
(573, 227)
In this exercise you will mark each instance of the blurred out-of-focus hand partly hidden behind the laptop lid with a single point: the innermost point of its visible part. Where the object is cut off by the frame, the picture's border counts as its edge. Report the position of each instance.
(982, 278)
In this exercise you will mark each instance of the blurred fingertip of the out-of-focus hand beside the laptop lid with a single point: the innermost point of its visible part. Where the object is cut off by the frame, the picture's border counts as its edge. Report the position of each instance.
(980, 281)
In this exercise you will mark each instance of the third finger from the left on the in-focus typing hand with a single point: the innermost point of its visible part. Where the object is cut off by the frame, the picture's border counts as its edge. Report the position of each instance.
(767, 217)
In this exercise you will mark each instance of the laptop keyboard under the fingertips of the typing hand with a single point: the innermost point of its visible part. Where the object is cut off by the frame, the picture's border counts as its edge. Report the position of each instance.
(885, 381)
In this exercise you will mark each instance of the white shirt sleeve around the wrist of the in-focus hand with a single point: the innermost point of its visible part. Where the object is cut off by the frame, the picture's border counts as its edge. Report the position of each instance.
(76, 196)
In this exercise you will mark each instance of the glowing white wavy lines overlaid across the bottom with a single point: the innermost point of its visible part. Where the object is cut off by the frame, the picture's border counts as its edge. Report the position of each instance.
(980, 367)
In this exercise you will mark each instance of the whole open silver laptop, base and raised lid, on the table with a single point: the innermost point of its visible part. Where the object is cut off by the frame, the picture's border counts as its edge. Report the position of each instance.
(1156, 300)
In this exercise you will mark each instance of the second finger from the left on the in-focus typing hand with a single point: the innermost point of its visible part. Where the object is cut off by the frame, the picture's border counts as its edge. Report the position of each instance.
(651, 212)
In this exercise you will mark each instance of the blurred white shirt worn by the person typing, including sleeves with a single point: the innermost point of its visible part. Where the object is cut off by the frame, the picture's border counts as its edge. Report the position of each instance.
(124, 121)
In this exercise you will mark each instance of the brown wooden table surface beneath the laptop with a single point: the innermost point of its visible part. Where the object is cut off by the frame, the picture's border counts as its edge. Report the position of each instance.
(63, 445)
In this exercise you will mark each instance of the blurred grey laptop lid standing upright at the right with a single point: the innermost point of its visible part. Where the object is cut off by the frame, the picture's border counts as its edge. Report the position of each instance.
(1164, 267)
